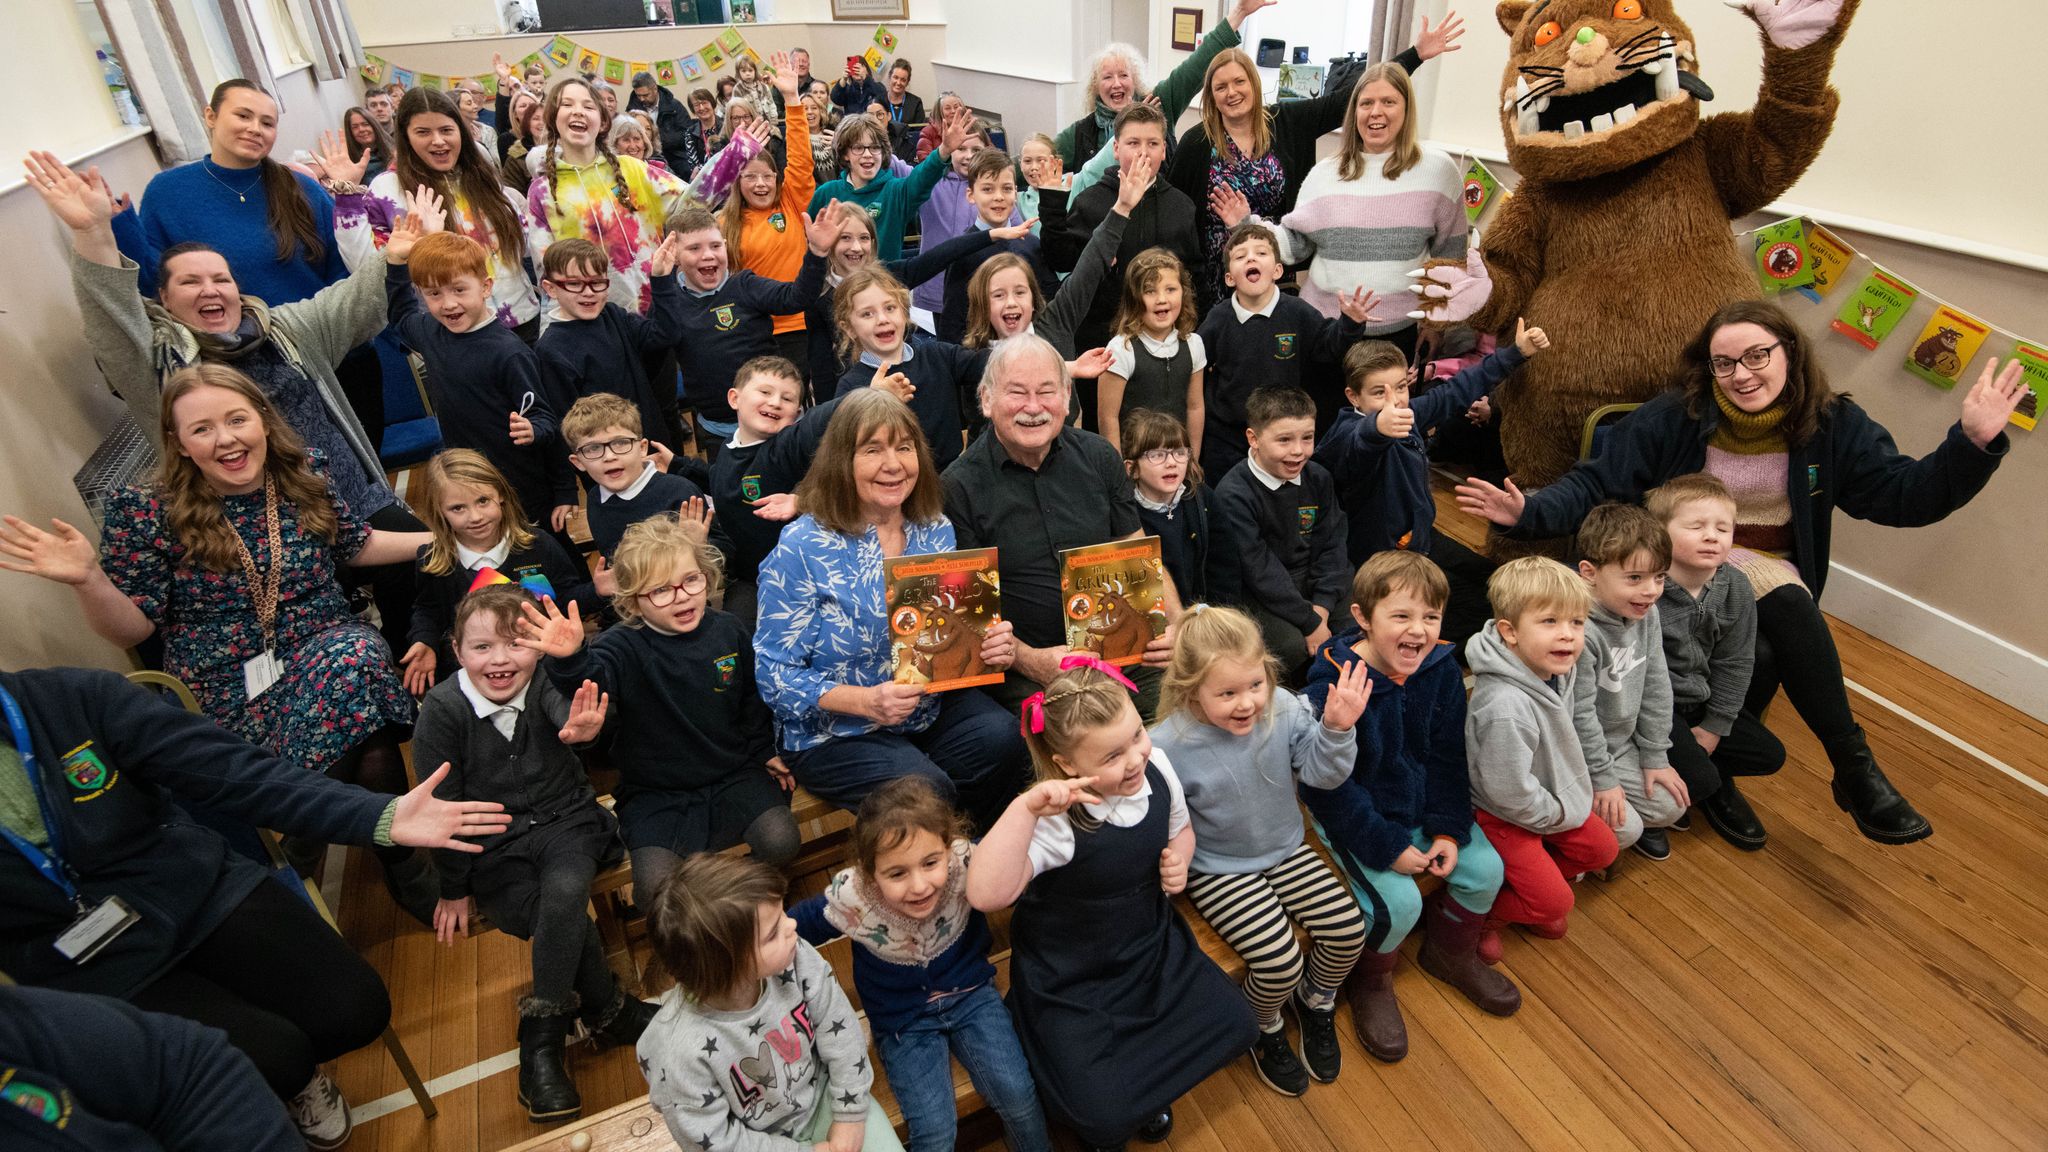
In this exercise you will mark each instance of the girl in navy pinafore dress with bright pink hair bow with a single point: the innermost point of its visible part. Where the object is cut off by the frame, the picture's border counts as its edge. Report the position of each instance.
(1117, 1005)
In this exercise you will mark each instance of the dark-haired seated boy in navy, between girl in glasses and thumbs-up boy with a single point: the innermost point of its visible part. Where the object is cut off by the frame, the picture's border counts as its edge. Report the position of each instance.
(1283, 511)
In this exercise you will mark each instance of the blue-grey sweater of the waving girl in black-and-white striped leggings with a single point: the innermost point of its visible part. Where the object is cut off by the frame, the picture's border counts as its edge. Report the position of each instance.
(1242, 788)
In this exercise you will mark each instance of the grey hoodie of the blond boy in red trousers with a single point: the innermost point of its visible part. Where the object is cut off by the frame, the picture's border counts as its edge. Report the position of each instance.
(1521, 745)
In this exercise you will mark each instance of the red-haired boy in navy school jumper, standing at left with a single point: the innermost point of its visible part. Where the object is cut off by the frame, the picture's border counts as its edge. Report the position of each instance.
(482, 378)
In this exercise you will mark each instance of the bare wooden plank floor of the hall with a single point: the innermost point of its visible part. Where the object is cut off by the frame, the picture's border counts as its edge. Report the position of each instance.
(1822, 995)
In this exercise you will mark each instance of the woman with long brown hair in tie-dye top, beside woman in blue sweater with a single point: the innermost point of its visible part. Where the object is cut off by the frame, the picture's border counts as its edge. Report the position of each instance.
(437, 153)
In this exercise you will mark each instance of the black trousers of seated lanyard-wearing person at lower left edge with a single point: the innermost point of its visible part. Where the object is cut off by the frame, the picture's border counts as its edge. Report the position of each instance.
(282, 985)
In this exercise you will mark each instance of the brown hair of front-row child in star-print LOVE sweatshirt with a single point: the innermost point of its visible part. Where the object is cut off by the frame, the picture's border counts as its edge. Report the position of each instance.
(703, 921)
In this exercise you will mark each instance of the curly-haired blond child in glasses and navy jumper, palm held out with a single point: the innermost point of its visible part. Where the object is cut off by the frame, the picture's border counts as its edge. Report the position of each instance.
(691, 737)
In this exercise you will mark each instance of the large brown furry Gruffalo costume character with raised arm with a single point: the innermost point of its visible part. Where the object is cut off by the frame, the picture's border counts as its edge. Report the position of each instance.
(1617, 239)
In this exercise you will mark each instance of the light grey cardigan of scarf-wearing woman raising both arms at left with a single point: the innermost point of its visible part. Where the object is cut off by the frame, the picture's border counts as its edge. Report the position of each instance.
(321, 329)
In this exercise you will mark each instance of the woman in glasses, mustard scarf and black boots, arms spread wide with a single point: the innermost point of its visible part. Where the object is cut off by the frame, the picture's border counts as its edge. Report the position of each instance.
(1752, 407)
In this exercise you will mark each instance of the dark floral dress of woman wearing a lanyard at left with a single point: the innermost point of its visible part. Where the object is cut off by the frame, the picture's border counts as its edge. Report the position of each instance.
(337, 684)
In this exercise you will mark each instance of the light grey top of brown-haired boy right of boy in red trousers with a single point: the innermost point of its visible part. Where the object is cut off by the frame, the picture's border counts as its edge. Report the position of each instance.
(1623, 700)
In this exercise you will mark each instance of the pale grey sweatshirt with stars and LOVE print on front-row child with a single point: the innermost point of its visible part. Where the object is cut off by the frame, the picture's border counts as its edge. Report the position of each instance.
(755, 1081)
